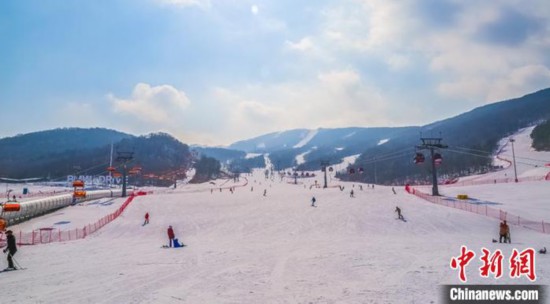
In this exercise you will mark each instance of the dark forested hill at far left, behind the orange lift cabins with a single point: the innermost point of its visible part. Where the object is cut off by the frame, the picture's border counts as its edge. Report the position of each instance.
(56, 153)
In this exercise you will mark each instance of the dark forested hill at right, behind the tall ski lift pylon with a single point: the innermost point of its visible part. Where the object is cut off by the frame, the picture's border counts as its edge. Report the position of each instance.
(472, 137)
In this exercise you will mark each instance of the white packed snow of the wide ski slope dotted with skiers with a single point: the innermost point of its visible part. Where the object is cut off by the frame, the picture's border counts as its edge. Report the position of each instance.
(244, 247)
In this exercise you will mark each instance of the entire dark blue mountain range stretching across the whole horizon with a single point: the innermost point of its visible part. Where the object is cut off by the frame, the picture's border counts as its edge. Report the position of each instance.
(385, 152)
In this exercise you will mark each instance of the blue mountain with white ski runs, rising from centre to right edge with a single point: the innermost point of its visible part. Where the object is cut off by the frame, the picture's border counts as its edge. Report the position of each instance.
(390, 150)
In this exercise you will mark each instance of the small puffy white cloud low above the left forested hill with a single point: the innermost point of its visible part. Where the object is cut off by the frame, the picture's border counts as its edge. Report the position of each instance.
(162, 105)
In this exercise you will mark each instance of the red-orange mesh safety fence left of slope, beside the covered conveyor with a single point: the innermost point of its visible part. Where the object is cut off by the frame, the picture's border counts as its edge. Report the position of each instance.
(49, 235)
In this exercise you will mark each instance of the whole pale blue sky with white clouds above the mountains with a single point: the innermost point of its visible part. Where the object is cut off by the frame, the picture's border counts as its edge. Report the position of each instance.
(217, 71)
